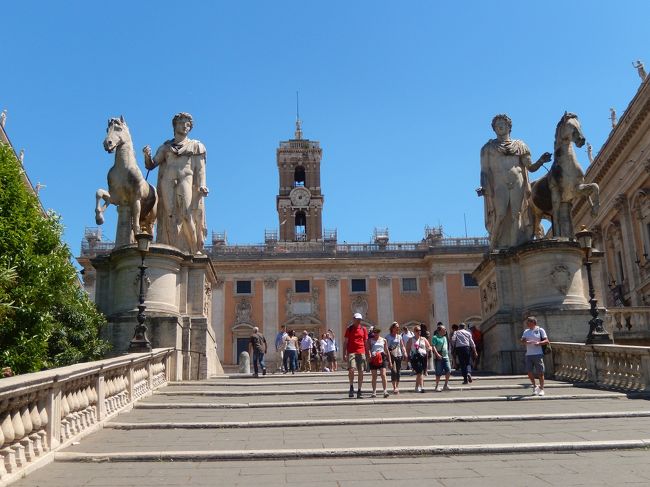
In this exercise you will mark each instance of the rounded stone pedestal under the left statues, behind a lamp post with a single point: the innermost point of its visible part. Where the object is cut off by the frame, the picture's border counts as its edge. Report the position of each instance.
(178, 290)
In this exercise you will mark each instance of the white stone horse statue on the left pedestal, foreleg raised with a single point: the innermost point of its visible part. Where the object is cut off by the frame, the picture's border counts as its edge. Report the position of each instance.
(127, 189)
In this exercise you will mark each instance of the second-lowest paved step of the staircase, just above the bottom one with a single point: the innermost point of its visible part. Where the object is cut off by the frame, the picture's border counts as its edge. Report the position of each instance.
(111, 440)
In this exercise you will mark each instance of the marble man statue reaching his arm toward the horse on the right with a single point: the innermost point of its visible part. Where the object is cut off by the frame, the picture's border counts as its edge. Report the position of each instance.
(505, 163)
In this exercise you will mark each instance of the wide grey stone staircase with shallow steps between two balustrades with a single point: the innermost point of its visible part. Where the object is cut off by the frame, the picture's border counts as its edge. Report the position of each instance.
(284, 429)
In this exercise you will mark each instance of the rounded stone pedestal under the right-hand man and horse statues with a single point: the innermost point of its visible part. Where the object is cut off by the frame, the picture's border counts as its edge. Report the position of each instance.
(542, 278)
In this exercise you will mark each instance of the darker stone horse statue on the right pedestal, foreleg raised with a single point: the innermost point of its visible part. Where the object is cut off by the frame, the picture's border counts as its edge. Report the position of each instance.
(553, 195)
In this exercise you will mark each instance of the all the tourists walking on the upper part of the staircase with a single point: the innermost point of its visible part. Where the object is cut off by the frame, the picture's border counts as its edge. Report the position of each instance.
(366, 349)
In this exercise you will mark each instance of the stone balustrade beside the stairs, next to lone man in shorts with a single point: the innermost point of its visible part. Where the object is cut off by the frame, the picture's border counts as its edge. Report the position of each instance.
(619, 367)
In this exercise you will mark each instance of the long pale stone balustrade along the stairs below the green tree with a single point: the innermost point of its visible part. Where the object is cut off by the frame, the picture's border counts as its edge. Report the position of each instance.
(45, 411)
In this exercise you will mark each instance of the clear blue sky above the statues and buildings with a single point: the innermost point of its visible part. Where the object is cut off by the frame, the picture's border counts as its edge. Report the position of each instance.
(399, 94)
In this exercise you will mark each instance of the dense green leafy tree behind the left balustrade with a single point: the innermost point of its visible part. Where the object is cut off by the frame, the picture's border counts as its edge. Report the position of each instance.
(46, 319)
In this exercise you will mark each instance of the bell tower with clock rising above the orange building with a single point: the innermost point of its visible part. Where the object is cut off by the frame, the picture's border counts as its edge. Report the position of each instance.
(299, 201)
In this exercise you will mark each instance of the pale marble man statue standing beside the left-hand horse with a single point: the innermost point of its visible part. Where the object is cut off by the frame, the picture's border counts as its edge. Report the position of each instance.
(181, 188)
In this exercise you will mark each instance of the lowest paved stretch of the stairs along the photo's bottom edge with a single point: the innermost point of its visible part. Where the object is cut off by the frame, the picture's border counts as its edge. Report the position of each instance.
(606, 468)
